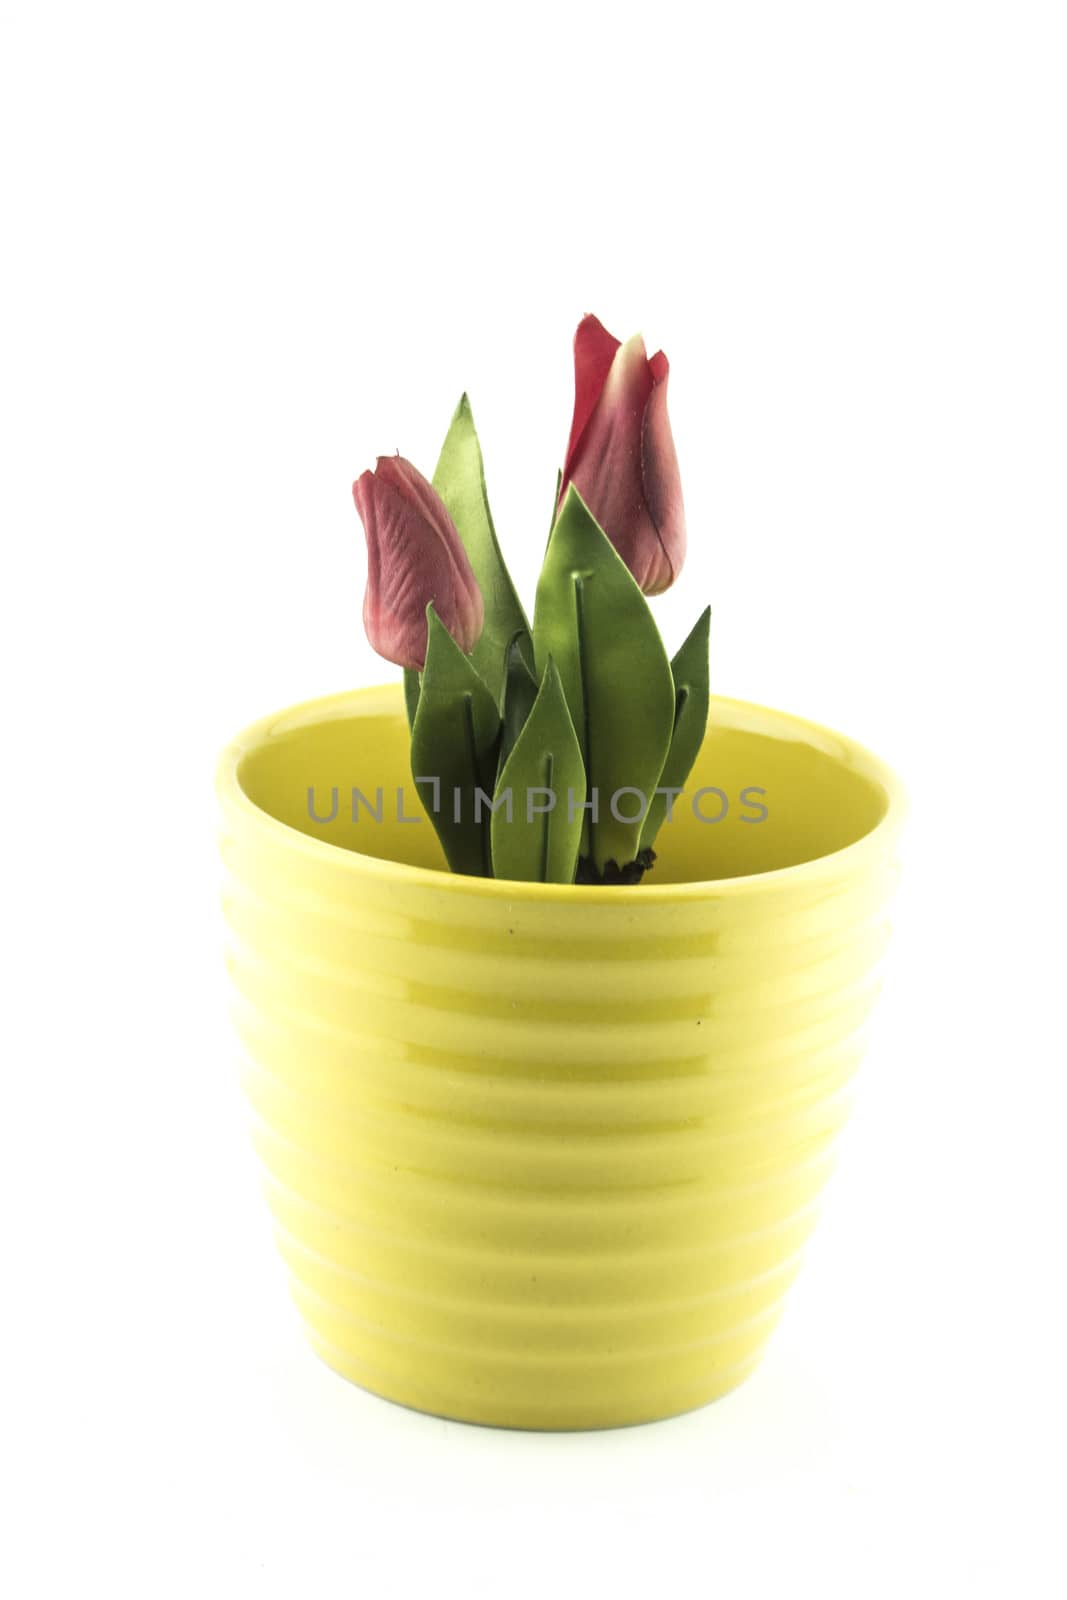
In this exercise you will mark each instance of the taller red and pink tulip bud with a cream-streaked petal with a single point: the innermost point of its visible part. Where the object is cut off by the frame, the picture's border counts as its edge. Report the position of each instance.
(621, 455)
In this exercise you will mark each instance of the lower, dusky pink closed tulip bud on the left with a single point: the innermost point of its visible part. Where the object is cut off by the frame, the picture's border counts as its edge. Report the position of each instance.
(415, 558)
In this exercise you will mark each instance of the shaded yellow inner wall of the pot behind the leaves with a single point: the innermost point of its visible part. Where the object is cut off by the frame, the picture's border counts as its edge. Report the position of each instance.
(769, 791)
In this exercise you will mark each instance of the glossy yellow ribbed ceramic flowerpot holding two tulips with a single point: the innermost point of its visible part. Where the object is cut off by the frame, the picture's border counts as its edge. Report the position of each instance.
(548, 1156)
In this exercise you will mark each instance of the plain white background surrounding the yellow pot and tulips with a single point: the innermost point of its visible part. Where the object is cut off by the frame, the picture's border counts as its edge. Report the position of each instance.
(249, 247)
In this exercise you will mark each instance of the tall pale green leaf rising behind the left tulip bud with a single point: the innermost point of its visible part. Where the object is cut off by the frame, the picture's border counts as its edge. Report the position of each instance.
(460, 481)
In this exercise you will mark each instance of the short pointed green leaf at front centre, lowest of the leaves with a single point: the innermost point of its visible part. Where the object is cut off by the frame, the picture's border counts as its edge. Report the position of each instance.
(545, 770)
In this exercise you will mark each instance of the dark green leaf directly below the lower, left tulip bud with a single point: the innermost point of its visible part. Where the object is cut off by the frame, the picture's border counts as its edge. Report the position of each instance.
(454, 751)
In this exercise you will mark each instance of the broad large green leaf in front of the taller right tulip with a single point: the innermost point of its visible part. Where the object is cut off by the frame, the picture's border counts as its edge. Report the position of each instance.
(596, 625)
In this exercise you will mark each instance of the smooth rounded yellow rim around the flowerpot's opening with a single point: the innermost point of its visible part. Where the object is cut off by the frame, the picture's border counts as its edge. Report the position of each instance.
(749, 716)
